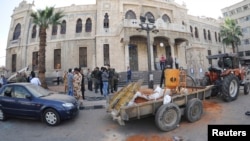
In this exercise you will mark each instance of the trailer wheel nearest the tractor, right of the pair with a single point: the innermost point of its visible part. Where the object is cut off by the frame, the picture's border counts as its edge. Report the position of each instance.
(193, 110)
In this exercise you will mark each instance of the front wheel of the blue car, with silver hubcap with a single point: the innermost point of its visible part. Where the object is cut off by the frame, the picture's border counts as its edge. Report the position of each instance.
(51, 117)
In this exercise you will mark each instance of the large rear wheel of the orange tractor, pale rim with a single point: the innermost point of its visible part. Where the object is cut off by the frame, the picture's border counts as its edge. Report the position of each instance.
(230, 88)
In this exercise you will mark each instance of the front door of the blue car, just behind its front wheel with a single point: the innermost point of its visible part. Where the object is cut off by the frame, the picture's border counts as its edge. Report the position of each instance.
(26, 105)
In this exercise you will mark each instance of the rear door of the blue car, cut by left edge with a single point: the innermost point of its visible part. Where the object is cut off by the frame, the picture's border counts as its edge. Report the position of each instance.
(7, 102)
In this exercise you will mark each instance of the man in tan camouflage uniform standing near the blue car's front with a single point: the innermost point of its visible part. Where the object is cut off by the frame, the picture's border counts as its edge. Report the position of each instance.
(77, 82)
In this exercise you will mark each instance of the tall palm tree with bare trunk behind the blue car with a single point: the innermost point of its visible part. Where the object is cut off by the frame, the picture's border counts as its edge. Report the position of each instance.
(44, 18)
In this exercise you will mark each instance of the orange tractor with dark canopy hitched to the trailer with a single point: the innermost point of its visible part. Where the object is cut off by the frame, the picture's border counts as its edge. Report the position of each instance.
(227, 77)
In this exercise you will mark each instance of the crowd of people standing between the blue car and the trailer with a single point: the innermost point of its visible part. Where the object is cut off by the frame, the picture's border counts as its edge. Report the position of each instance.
(103, 80)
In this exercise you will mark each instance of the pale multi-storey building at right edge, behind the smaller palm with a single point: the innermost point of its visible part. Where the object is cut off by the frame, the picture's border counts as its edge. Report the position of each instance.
(241, 13)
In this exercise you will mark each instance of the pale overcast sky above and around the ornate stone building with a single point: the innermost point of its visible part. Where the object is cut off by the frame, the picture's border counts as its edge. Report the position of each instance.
(208, 8)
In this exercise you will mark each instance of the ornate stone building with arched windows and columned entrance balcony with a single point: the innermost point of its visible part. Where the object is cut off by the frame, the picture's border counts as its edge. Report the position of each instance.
(107, 33)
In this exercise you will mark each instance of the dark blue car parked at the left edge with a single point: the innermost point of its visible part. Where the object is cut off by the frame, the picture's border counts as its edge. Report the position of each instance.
(27, 100)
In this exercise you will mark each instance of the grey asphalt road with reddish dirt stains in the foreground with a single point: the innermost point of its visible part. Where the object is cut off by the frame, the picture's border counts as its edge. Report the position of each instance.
(97, 125)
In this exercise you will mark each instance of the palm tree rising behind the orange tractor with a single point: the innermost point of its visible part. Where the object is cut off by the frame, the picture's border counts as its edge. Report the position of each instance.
(230, 33)
